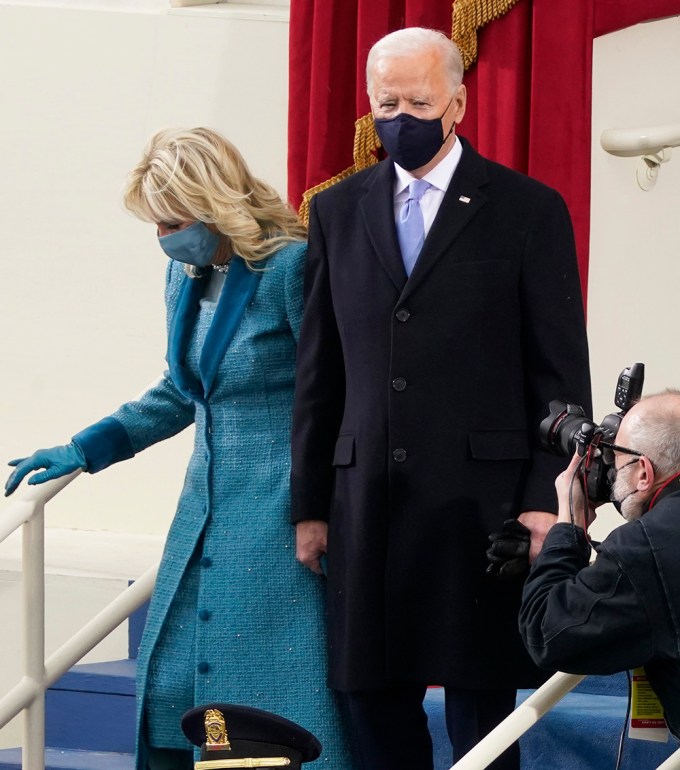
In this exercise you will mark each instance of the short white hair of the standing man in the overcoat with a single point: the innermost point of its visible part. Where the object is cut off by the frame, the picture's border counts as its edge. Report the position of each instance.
(414, 40)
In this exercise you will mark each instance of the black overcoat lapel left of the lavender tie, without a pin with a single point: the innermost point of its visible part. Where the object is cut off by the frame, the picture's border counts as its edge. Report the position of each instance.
(377, 208)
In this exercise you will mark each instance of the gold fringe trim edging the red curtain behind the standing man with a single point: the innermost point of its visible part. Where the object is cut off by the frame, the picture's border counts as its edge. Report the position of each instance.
(467, 17)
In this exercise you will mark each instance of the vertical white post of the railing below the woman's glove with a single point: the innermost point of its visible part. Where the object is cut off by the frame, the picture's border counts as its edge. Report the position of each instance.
(33, 547)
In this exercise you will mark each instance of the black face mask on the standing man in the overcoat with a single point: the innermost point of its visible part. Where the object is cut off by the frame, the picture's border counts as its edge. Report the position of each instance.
(412, 142)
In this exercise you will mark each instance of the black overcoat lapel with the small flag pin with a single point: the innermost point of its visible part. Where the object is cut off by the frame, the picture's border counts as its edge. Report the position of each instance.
(462, 200)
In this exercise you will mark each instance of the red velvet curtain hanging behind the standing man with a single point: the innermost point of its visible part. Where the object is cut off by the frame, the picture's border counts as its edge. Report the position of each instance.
(529, 94)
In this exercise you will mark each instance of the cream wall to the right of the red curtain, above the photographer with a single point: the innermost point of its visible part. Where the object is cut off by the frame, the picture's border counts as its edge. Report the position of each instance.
(634, 288)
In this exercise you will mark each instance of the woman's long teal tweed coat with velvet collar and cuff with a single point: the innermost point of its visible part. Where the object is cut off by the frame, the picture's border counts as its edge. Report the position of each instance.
(234, 617)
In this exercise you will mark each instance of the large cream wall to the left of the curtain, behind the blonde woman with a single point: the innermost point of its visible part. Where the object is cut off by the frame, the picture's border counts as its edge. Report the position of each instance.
(81, 309)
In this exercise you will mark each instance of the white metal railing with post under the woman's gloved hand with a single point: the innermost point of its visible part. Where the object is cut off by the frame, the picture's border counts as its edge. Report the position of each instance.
(38, 674)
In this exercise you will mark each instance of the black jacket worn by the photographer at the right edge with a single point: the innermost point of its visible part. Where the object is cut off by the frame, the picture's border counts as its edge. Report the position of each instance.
(621, 612)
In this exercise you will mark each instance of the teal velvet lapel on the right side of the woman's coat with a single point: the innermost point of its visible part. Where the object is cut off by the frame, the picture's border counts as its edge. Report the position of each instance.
(235, 296)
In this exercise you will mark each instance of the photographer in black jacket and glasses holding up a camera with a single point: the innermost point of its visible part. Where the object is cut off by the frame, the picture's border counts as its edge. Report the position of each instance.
(623, 611)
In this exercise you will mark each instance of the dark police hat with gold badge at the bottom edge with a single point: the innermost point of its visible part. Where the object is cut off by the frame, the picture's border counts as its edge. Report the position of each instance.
(233, 736)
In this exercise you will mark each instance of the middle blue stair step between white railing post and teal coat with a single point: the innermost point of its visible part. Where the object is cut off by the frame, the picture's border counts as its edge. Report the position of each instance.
(92, 707)
